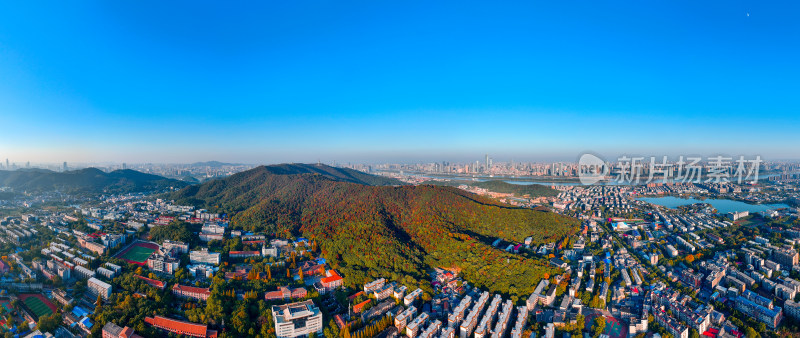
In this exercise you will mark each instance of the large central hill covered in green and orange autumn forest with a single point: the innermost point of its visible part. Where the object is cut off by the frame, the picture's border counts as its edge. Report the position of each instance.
(389, 231)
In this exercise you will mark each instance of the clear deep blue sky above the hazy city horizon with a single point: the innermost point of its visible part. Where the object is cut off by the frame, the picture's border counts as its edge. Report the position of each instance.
(388, 81)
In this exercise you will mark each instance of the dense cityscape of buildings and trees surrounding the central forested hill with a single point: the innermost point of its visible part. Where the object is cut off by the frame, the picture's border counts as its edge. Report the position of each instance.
(137, 263)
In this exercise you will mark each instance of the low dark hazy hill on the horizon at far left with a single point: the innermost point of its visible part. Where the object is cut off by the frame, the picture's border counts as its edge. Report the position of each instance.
(89, 180)
